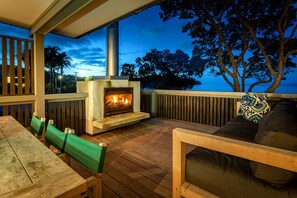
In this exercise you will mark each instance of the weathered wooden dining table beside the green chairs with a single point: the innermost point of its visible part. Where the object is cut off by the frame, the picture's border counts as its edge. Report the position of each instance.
(29, 169)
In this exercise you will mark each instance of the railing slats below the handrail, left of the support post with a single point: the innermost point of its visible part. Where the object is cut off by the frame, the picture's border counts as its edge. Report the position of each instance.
(21, 112)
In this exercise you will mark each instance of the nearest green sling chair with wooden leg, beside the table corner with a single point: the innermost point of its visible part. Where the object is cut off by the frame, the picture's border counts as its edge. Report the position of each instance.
(91, 156)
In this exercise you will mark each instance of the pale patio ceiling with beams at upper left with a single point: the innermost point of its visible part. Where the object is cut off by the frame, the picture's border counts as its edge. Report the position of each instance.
(71, 18)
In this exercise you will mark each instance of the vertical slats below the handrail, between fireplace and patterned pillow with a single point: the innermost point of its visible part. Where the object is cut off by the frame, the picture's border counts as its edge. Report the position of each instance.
(213, 111)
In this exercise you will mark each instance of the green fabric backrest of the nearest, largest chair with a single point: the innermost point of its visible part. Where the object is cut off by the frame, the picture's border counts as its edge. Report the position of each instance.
(89, 154)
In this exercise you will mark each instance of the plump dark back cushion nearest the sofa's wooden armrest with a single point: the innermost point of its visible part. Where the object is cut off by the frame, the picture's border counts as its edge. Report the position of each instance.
(277, 129)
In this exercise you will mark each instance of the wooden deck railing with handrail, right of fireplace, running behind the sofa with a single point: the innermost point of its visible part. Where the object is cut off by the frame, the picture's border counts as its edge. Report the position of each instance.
(211, 108)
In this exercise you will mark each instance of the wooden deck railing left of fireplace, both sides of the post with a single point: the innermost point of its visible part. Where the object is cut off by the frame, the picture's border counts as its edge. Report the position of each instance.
(67, 110)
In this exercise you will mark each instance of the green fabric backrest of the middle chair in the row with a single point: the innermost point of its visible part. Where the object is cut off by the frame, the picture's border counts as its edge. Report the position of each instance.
(55, 137)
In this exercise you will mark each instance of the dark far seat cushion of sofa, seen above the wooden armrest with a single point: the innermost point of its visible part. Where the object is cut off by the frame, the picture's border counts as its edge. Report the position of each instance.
(238, 128)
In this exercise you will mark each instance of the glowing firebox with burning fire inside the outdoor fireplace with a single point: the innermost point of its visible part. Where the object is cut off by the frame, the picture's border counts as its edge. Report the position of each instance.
(118, 100)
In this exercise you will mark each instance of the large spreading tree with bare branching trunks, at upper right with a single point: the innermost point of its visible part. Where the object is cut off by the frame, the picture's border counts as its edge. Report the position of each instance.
(240, 39)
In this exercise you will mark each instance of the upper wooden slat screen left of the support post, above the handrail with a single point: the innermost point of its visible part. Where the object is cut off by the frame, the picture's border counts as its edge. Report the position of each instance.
(16, 66)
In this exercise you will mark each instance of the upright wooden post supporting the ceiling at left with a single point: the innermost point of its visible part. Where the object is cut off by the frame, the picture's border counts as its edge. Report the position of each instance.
(39, 74)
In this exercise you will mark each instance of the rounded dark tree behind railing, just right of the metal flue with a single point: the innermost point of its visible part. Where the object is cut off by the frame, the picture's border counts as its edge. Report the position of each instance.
(166, 70)
